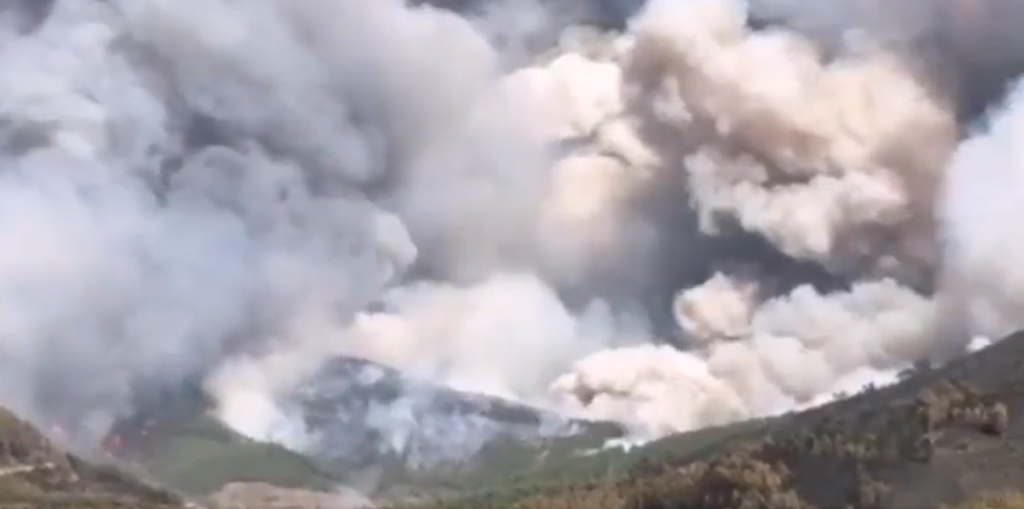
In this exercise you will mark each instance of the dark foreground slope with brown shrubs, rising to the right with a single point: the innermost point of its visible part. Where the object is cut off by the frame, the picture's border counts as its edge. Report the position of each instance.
(941, 438)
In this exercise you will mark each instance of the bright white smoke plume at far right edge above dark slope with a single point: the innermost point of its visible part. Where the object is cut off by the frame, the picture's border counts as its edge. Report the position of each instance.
(984, 291)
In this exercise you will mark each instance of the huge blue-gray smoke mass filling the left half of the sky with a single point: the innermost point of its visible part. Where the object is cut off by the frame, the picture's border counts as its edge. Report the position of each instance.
(210, 190)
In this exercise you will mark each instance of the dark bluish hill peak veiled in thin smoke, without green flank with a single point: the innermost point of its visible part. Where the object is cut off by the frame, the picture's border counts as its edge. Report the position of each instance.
(368, 417)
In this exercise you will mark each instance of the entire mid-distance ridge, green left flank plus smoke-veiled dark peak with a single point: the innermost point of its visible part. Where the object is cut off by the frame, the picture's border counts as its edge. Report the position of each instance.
(369, 428)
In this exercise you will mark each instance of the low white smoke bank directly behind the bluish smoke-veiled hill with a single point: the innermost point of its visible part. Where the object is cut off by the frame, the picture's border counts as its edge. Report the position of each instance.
(505, 336)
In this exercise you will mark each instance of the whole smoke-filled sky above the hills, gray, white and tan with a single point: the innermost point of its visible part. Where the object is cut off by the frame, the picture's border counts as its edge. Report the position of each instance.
(685, 223)
